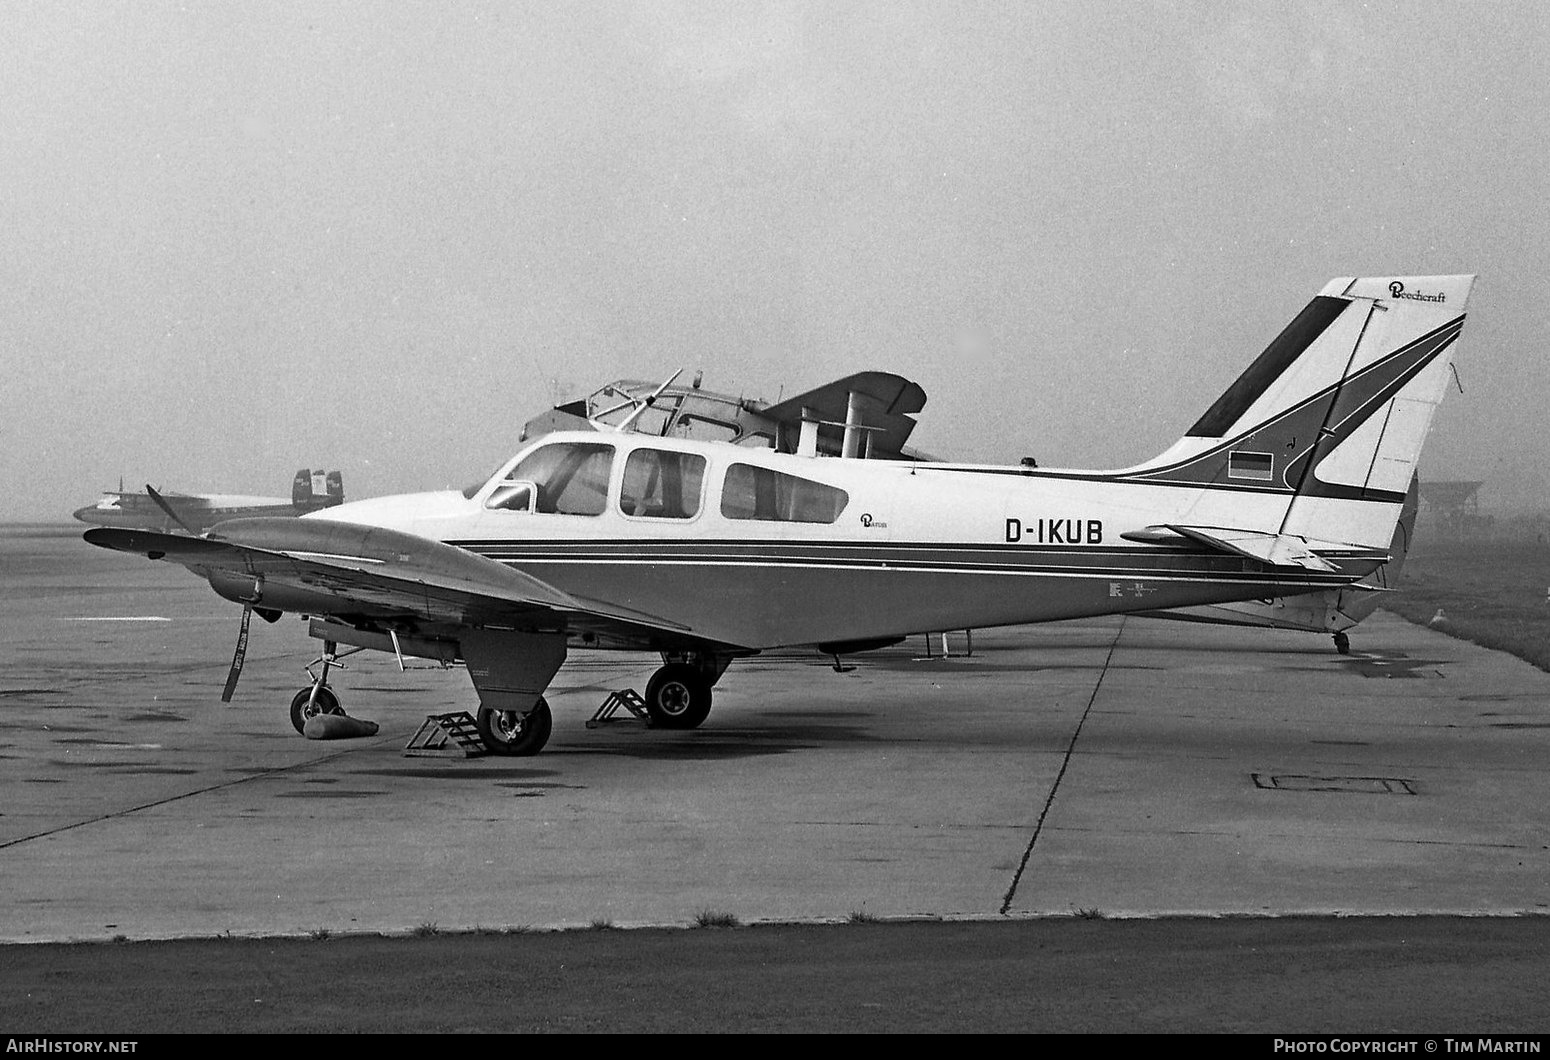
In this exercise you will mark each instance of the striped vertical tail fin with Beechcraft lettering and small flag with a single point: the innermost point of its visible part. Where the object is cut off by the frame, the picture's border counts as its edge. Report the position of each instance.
(1321, 436)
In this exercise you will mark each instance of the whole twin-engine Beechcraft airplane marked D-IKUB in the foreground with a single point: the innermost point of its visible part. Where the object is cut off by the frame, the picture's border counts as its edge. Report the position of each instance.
(704, 552)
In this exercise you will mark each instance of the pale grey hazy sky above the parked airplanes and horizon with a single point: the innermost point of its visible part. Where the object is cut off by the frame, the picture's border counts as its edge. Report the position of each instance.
(238, 239)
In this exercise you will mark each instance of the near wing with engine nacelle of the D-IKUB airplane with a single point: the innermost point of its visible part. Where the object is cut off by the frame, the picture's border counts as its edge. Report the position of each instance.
(362, 574)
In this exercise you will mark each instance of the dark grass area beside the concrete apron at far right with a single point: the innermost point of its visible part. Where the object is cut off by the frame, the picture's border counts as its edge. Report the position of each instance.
(1490, 593)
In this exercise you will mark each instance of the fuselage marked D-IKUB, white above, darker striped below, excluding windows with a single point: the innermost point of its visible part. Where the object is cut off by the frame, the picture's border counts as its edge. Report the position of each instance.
(912, 548)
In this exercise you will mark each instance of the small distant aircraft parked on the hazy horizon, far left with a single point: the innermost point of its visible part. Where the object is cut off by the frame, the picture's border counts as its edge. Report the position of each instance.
(198, 512)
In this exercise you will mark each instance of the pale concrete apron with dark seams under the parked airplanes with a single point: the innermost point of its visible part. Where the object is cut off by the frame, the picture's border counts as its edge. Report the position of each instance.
(1117, 768)
